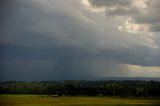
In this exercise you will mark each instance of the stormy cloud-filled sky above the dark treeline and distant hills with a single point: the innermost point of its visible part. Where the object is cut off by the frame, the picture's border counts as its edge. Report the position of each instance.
(79, 39)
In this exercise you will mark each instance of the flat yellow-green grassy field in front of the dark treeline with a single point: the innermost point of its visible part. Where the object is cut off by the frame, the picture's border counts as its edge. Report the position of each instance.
(36, 100)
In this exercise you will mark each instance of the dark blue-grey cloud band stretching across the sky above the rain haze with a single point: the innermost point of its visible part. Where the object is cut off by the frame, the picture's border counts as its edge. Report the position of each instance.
(136, 55)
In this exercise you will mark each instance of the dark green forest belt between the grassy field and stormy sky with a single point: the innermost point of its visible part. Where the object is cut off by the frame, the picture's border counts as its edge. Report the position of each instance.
(82, 87)
